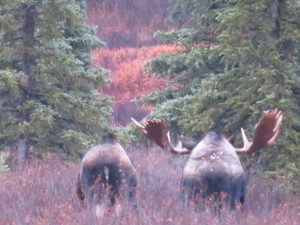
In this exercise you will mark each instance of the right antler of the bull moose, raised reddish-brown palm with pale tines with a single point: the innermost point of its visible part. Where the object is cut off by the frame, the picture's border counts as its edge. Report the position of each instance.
(265, 132)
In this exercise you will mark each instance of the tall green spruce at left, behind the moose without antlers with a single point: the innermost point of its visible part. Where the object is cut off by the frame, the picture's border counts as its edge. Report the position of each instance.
(48, 87)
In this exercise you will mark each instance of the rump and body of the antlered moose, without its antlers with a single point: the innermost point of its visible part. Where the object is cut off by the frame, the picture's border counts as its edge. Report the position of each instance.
(213, 168)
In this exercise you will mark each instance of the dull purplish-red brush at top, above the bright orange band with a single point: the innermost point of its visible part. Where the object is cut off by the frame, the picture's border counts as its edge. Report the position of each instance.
(128, 23)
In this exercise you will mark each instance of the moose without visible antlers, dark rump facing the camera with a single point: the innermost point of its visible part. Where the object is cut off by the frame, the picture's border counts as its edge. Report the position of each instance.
(106, 172)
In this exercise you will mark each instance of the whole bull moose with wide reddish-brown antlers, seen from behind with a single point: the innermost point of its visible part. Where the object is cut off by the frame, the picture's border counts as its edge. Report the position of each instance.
(213, 168)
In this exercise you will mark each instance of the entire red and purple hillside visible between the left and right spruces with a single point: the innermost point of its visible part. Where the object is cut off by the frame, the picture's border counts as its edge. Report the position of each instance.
(124, 24)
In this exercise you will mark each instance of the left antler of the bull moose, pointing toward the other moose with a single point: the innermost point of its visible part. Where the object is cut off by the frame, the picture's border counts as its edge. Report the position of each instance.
(156, 131)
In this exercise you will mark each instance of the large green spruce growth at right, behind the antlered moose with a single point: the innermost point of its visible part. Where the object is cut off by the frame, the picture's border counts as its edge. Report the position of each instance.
(250, 64)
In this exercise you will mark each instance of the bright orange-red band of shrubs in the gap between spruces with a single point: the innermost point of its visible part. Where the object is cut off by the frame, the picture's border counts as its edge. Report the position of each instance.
(129, 80)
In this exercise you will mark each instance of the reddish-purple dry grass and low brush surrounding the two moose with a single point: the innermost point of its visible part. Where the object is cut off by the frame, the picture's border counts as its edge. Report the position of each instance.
(43, 192)
